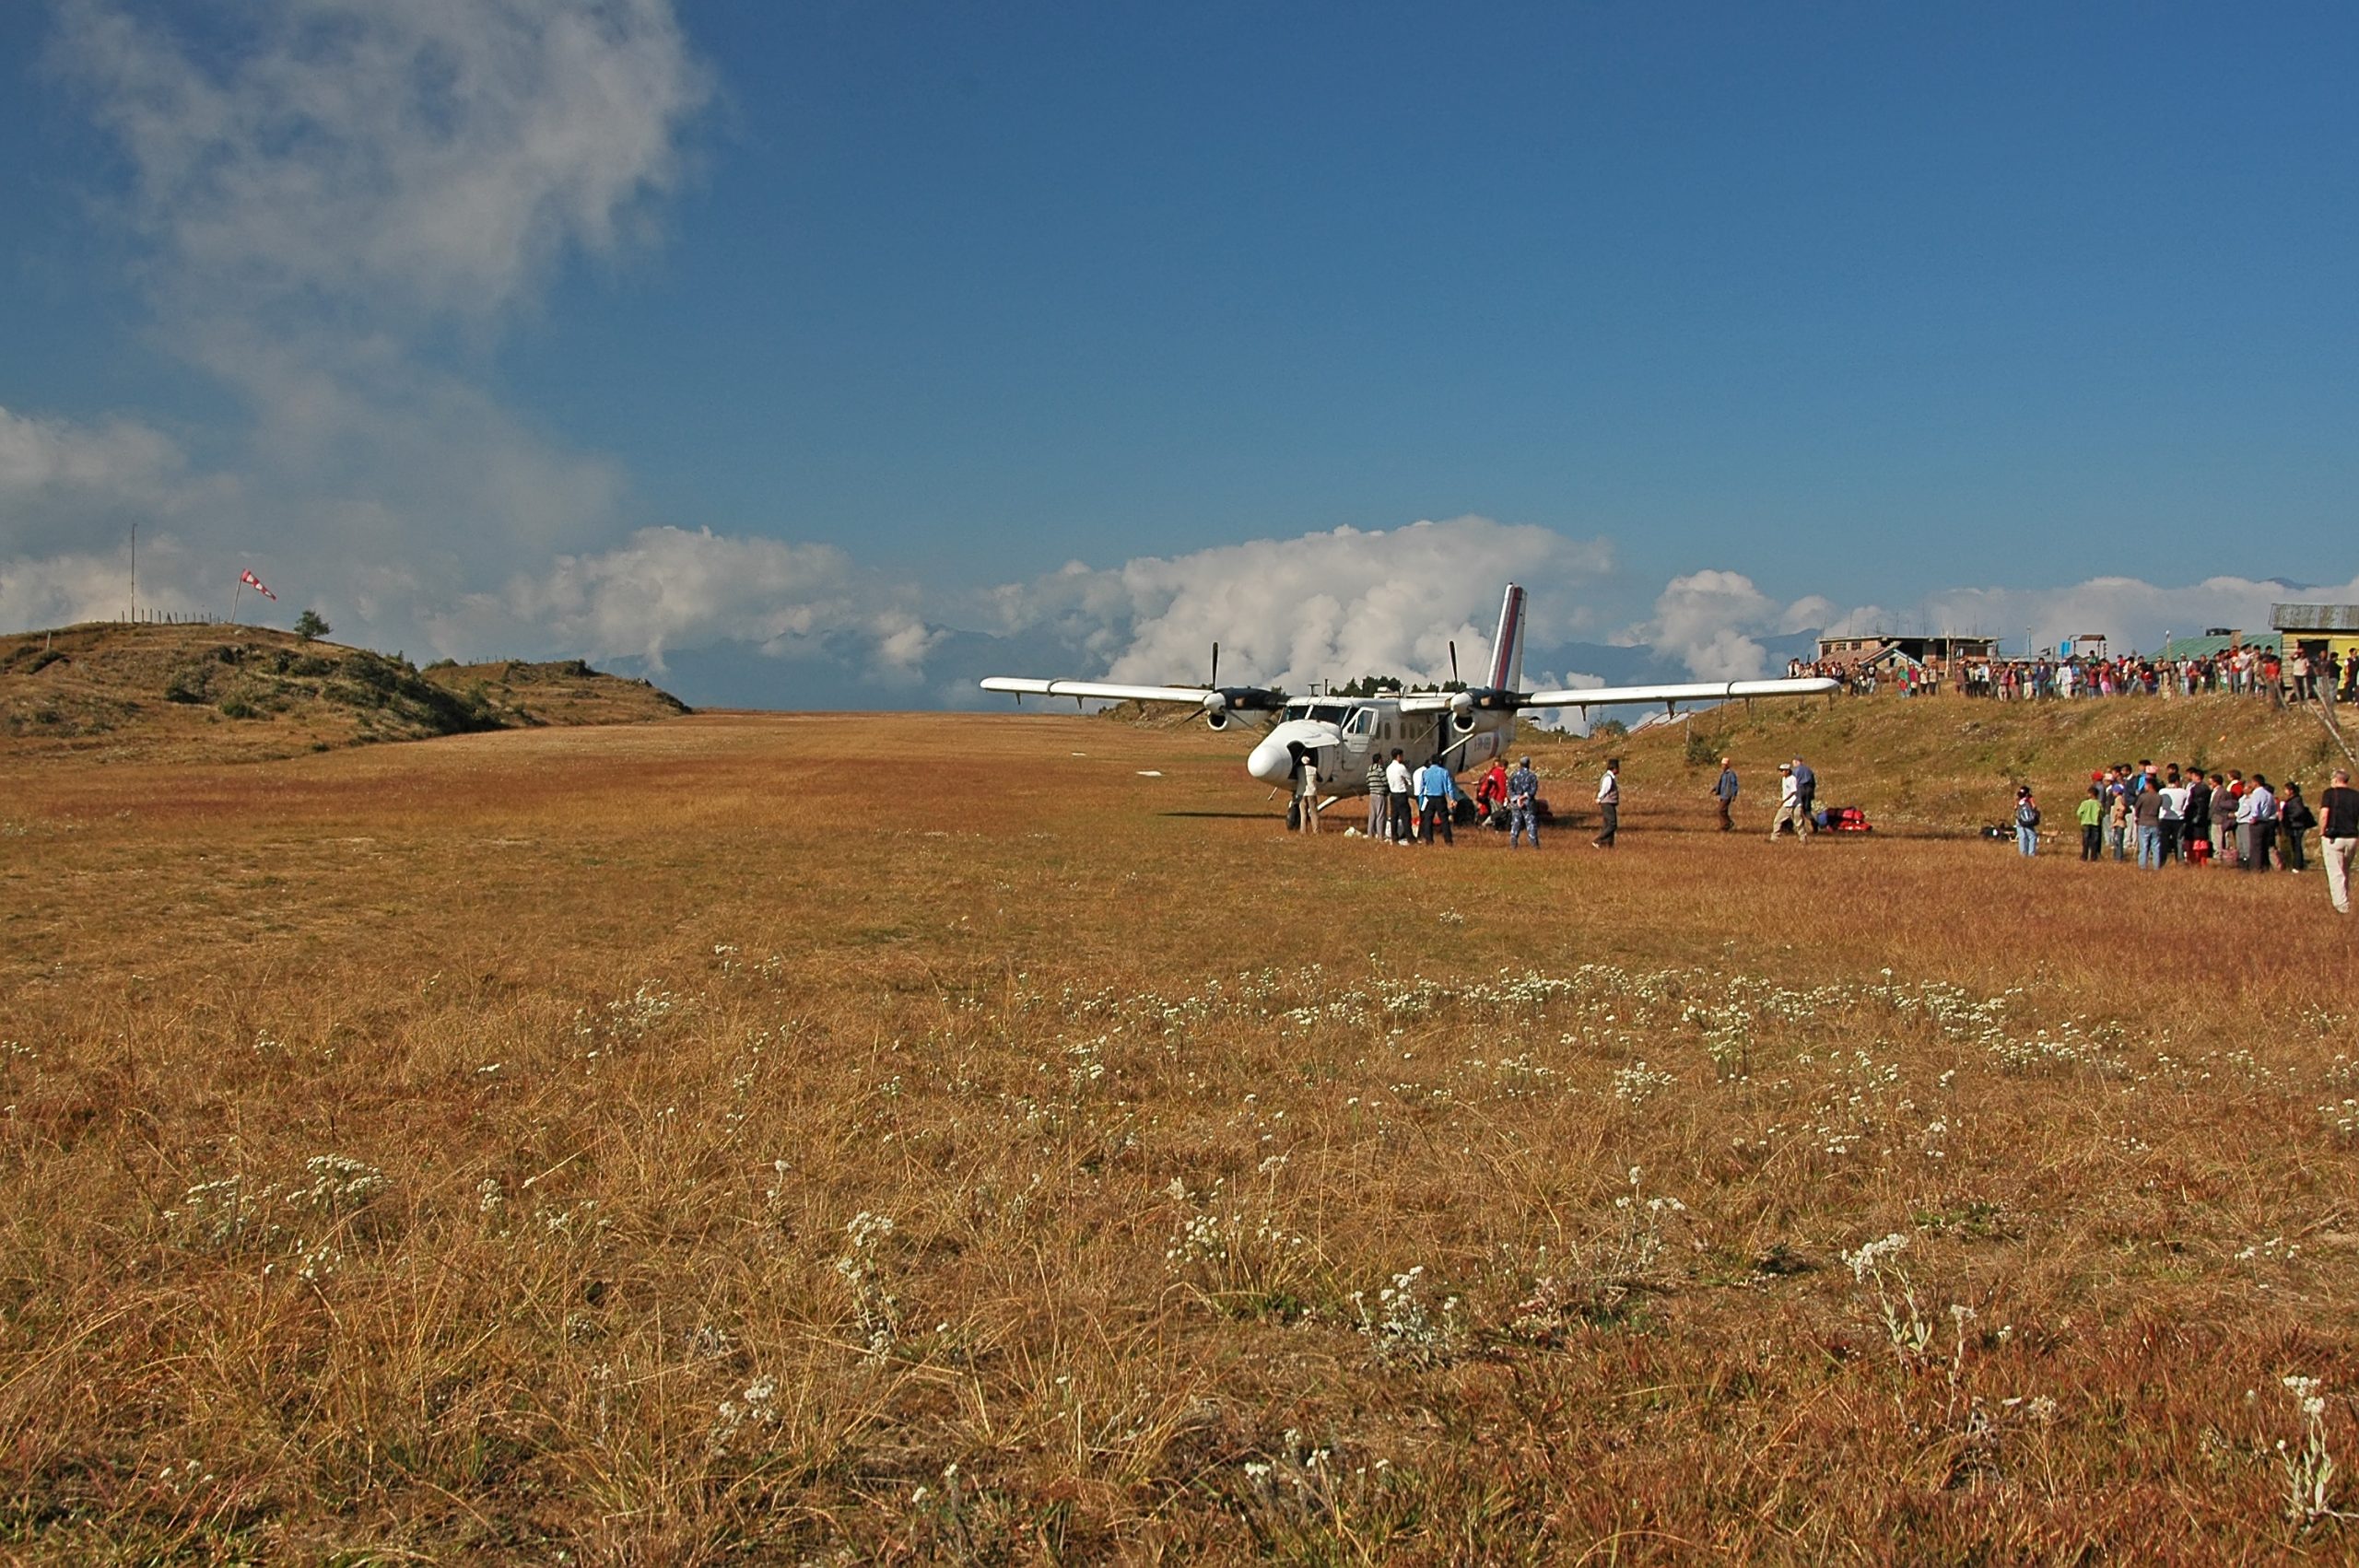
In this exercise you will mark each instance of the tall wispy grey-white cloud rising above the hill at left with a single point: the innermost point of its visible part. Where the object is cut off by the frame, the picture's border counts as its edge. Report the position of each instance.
(324, 190)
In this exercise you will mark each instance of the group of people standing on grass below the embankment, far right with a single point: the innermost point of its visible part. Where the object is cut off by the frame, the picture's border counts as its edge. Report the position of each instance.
(2221, 819)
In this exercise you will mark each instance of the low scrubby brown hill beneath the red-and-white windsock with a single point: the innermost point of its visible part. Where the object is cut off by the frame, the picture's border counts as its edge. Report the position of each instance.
(228, 692)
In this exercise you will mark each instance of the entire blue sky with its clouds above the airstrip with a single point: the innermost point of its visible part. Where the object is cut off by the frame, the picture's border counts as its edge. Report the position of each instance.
(799, 350)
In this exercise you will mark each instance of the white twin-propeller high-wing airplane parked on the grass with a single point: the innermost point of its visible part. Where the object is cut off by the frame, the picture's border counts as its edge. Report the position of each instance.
(1461, 730)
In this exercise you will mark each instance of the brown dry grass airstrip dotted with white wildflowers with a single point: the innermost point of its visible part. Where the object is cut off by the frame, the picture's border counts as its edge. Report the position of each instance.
(926, 1138)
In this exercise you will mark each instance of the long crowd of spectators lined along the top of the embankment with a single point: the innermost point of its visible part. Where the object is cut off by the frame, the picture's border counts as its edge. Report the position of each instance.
(2242, 671)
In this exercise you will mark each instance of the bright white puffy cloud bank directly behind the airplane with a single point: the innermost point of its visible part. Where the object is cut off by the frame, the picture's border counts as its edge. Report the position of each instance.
(1313, 607)
